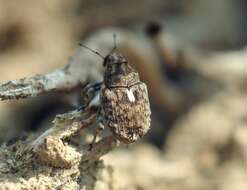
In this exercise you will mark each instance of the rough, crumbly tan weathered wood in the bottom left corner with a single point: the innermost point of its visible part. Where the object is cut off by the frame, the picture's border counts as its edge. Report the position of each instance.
(50, 161)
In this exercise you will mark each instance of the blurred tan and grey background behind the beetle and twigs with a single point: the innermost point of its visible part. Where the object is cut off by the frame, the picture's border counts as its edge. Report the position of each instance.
(191, 53)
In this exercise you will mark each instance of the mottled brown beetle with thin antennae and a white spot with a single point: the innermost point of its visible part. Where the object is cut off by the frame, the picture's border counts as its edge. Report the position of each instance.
(122, 99)
